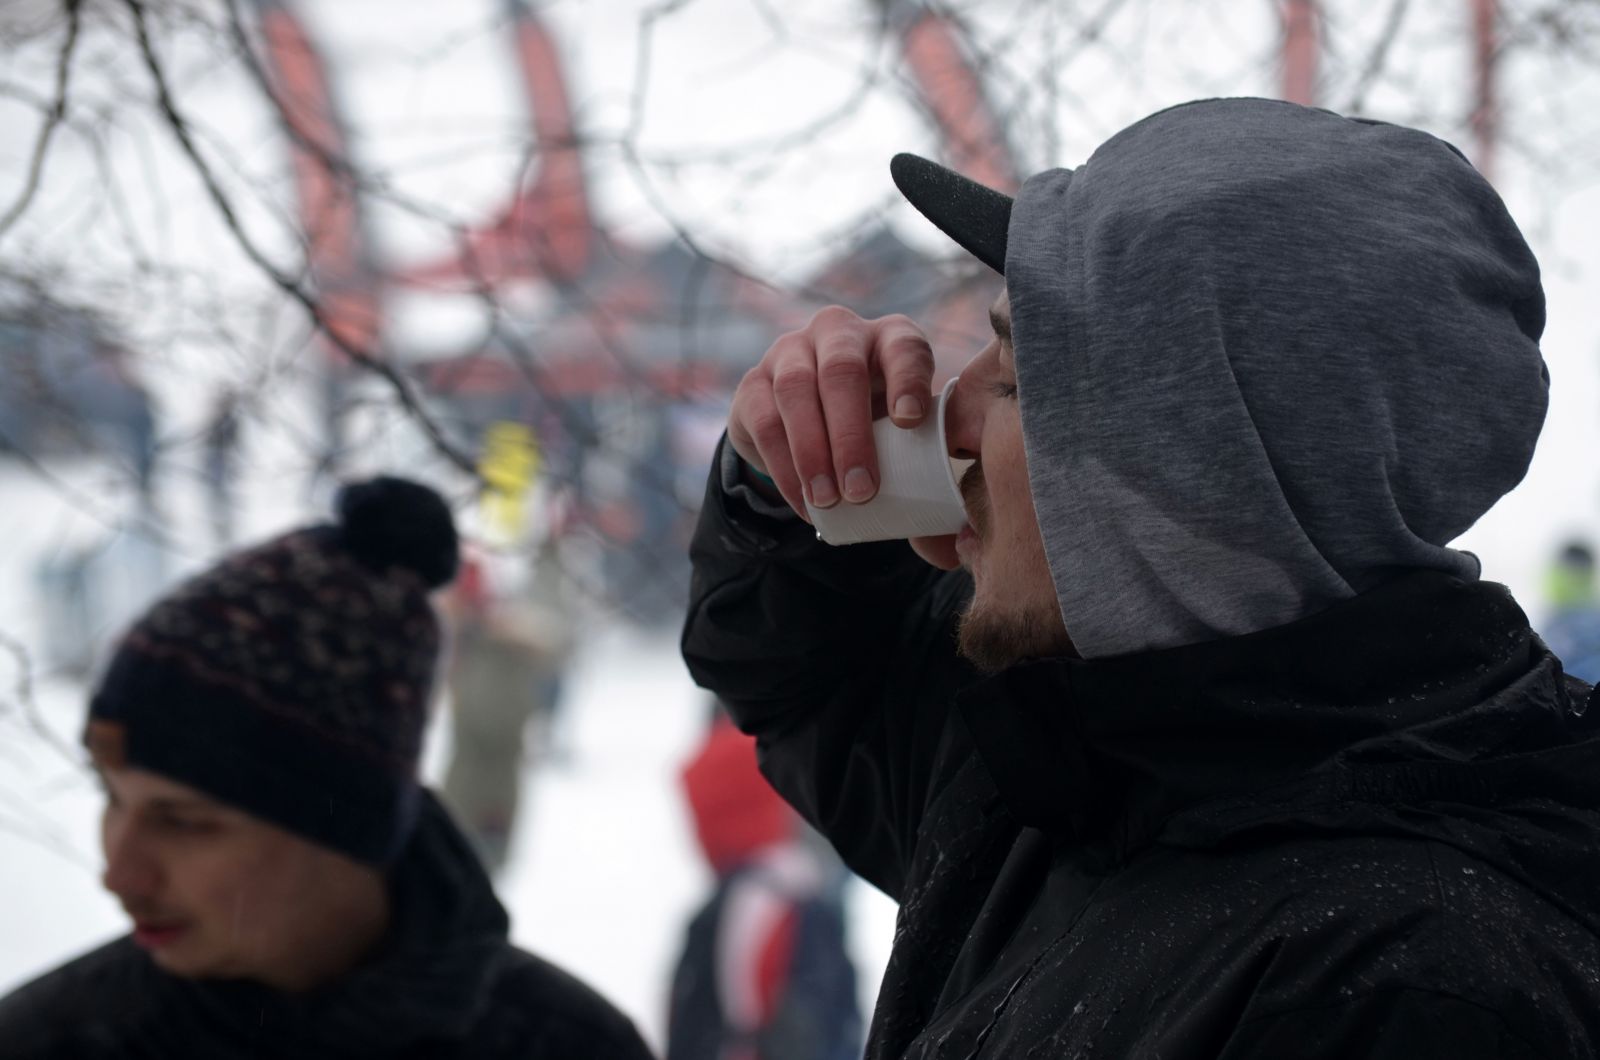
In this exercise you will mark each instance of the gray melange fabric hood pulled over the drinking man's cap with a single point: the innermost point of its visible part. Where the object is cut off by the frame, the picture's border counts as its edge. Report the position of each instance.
(1266, 356)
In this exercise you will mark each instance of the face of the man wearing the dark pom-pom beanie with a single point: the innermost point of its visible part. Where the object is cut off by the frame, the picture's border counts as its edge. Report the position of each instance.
(218, 894)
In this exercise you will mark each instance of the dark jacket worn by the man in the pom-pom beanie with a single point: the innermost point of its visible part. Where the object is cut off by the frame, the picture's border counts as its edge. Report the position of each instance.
(447, 984)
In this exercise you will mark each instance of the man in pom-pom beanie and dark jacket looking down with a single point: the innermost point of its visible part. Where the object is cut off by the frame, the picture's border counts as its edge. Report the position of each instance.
(294, 889)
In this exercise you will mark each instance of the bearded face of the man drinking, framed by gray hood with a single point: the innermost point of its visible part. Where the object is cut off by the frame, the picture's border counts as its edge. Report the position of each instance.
(1014, 614)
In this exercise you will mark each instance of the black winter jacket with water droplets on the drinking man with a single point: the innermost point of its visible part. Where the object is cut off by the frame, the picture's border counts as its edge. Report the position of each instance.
(1372, 833)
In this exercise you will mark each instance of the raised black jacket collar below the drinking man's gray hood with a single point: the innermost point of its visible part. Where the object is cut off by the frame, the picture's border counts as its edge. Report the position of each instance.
(1407, 672)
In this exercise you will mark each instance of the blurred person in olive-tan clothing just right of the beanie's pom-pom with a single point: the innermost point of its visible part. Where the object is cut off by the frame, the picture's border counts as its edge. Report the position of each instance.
(511, 646)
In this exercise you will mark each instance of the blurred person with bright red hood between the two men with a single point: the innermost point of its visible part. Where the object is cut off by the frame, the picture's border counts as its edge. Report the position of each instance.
(764, 973)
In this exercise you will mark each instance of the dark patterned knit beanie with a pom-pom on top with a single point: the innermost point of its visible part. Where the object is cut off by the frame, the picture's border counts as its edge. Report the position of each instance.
(294, 680)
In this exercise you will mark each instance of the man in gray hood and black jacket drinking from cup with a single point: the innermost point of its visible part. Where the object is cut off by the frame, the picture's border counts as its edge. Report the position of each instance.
(1199, 741)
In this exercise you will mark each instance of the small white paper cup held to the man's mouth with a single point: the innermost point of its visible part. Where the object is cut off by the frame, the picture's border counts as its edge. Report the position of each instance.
(919, 492)
